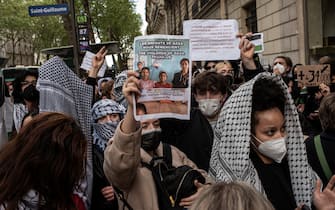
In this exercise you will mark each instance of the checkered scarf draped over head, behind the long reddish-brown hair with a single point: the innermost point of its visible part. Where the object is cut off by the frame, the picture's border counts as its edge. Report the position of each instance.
(61, 90)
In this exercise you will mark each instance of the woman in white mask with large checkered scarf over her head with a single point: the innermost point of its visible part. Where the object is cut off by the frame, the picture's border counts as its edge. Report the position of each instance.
(259, 140)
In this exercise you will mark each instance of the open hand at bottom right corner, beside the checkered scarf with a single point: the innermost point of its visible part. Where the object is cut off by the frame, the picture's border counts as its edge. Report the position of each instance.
(324, 200)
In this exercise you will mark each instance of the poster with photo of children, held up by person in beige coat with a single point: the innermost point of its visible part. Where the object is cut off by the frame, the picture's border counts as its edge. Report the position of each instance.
(164, 55)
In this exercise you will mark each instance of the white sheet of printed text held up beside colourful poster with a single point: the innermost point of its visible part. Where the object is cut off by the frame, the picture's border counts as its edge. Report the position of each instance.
(212, 39)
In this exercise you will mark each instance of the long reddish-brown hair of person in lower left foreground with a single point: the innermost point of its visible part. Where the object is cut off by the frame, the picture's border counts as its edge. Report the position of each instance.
(48, 155)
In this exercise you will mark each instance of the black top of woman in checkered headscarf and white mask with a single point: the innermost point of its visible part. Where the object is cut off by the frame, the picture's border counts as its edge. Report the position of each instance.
(276, 181)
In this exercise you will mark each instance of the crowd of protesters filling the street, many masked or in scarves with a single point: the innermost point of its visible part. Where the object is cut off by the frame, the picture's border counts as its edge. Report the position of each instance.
(77, 144)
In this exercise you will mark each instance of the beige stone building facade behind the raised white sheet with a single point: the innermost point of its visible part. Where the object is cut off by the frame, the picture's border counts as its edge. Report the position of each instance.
(303, 30)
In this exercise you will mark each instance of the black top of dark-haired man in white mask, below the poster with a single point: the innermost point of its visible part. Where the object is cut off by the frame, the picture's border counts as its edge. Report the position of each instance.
(194, 137)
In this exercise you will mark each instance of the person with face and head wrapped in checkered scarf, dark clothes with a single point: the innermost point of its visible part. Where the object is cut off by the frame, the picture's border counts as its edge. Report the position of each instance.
(106, 115)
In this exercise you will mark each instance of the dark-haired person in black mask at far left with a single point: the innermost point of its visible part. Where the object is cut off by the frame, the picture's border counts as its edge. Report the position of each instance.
(26, 96)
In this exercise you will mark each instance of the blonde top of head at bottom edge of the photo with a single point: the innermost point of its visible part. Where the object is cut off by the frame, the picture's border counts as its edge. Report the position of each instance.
(231, 196)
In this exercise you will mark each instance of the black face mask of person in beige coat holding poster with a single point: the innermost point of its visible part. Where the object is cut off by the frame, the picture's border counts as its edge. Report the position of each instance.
(151, 139)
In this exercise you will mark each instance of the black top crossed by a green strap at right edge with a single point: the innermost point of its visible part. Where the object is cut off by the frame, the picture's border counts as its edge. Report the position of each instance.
(328, 145)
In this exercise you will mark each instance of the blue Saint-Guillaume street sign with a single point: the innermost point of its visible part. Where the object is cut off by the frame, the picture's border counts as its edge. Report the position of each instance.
(43, 10)
